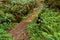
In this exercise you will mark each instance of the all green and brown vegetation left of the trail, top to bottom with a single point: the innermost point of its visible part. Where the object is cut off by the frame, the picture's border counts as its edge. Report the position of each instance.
(11, 13)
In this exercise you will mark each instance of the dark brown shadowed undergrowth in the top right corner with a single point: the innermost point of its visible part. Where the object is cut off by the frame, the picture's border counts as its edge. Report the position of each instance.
(53, 3)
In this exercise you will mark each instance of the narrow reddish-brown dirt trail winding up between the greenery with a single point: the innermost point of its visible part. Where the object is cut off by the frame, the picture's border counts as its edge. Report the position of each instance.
(19, 32)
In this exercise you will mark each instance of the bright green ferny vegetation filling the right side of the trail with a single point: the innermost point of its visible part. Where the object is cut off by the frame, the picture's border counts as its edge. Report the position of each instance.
(47, 27)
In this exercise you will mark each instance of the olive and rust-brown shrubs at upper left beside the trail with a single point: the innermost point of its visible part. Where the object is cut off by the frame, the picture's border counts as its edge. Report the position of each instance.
(18, 8)
